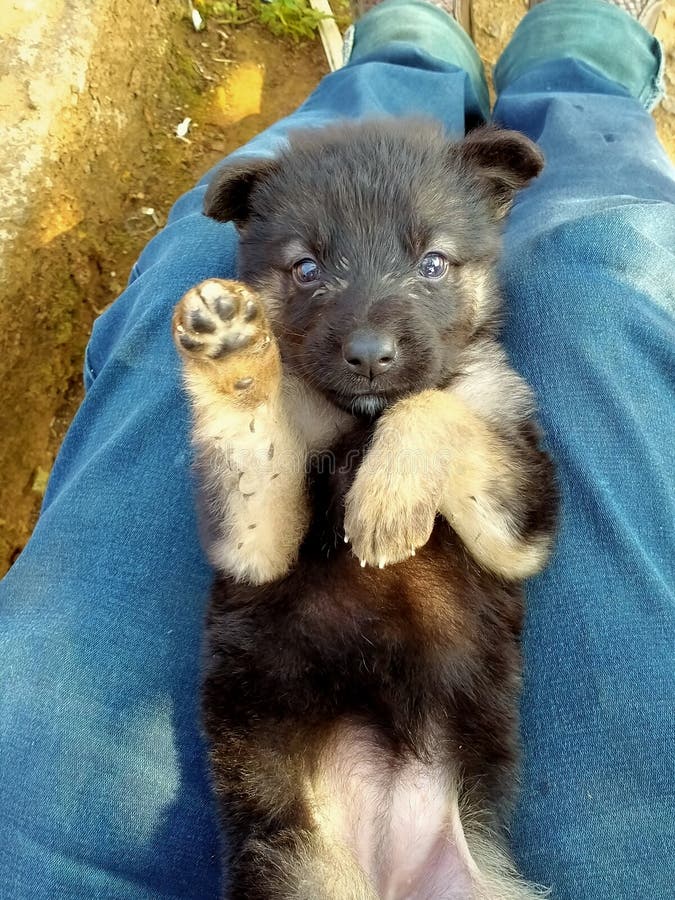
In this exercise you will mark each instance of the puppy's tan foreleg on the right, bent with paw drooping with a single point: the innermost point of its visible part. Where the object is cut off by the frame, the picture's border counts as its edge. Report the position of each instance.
(431, 453)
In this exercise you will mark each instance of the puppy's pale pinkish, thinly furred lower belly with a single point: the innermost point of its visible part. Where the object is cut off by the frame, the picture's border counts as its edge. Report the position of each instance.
(399, 819)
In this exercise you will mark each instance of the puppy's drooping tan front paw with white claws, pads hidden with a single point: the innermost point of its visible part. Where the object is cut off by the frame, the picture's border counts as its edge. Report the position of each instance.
(388, 515)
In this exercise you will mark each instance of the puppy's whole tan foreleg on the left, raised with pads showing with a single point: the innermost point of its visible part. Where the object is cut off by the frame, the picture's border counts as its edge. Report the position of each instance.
(250, 460)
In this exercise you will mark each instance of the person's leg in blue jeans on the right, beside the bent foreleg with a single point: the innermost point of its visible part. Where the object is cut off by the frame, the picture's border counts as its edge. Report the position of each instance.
(589, 273)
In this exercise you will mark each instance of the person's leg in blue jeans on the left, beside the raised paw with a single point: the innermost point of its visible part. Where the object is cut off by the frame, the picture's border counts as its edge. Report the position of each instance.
(104, 792)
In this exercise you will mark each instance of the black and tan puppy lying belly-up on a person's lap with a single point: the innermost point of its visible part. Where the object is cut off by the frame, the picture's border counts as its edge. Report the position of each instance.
(374, 495)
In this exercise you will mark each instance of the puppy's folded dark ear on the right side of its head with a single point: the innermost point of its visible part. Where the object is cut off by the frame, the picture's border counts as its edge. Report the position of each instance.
(506, 160)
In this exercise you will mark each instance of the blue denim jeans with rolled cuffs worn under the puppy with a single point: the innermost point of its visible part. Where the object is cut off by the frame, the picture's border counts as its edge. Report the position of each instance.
(104, 791)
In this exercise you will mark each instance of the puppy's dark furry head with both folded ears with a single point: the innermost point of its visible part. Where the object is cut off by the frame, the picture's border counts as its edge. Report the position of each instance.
(374, 245)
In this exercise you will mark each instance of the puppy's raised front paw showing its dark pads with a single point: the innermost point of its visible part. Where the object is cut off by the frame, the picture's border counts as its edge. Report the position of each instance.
(221, 330)
